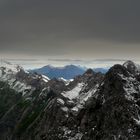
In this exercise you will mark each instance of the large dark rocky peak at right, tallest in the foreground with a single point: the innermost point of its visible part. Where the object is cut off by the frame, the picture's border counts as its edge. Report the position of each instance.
(113, 111)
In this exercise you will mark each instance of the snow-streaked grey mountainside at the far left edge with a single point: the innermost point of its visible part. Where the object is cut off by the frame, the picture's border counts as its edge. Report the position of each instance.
(19, 79)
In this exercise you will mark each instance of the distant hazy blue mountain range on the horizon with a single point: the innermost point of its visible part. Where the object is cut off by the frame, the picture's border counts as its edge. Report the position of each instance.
(66, 72)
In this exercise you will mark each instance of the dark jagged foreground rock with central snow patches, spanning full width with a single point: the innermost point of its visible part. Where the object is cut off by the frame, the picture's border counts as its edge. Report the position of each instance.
(91, 107)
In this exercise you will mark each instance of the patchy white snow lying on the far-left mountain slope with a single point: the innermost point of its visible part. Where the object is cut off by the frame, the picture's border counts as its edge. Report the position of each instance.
(8, 74)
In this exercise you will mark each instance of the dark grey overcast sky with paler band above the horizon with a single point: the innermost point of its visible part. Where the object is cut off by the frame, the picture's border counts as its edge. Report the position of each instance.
(70, 31)
